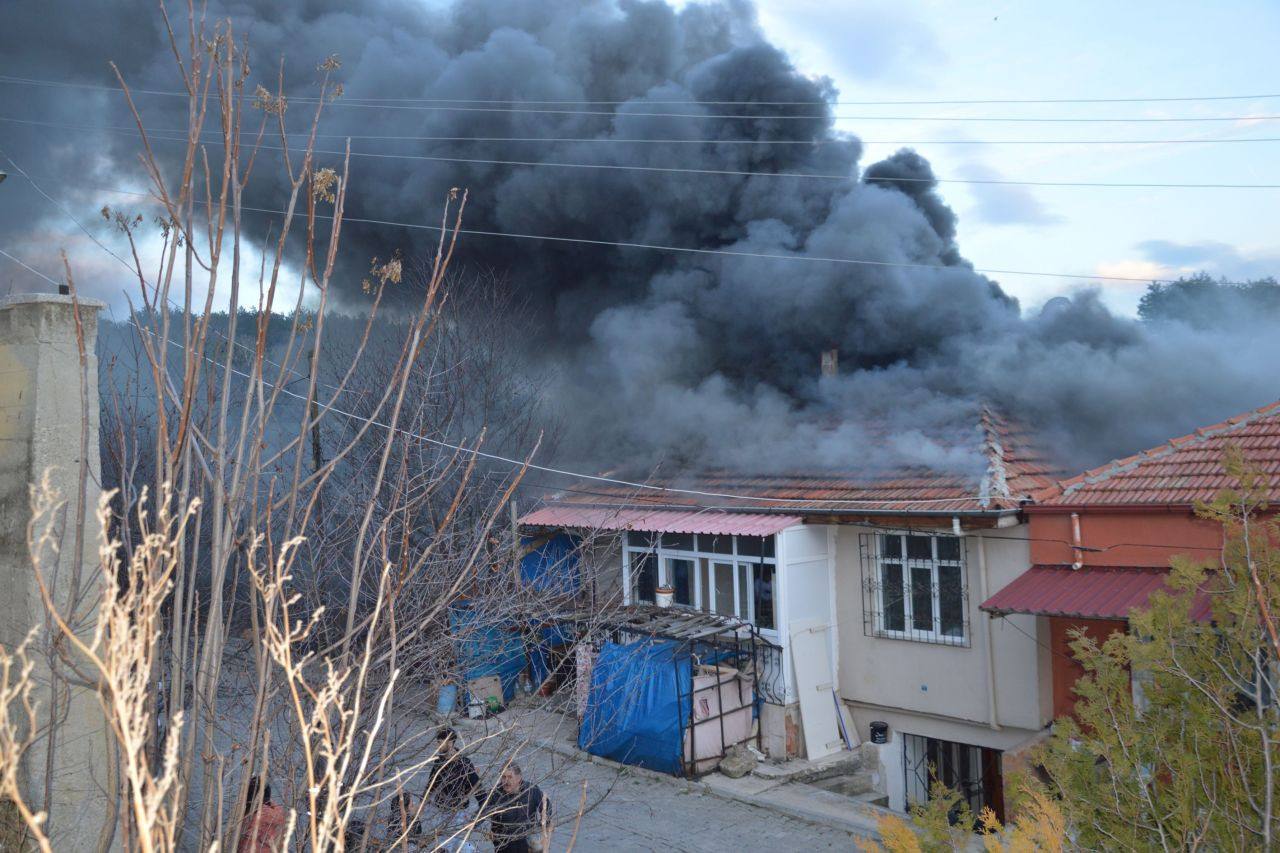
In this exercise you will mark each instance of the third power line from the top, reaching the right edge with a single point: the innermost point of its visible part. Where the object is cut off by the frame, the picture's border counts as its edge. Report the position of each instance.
(593, 140)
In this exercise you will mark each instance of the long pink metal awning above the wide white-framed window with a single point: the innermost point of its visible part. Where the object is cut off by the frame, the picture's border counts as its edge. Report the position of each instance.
(708, 522)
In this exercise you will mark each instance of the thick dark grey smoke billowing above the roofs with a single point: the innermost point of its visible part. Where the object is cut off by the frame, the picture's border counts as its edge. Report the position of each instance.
(706, 358)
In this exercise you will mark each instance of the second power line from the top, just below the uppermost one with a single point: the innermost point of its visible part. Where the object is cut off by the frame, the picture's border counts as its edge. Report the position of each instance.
(458, 108)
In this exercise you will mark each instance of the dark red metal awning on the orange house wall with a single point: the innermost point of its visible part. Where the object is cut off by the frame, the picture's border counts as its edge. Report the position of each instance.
(1087, 594)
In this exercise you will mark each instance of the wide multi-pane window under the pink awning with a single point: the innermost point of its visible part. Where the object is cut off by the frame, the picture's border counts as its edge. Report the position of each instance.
(717, 574)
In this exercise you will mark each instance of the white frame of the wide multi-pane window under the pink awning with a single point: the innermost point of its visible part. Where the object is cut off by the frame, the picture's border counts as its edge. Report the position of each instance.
(703, 600)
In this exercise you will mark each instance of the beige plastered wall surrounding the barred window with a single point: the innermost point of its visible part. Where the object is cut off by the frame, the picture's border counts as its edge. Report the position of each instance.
(949, 683)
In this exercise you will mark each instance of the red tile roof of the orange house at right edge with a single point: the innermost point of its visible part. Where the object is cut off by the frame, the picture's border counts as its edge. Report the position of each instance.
(1181, 472)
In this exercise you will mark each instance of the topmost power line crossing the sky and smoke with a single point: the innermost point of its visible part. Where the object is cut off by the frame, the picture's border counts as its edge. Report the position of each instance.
(715, 103)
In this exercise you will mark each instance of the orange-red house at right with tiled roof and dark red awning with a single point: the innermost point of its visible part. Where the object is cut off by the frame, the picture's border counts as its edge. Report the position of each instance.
(1101, 544)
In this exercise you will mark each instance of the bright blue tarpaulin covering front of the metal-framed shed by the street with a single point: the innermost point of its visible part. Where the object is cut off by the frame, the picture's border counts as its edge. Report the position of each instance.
(634, 713)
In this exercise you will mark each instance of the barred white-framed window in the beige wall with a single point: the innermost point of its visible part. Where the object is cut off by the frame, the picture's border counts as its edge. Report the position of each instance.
(913, 589)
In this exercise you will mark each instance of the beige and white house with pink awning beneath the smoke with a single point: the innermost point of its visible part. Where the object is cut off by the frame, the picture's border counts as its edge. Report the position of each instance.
(868, 594)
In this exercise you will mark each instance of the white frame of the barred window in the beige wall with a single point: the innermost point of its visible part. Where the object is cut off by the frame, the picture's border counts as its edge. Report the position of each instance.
(909, 632)
